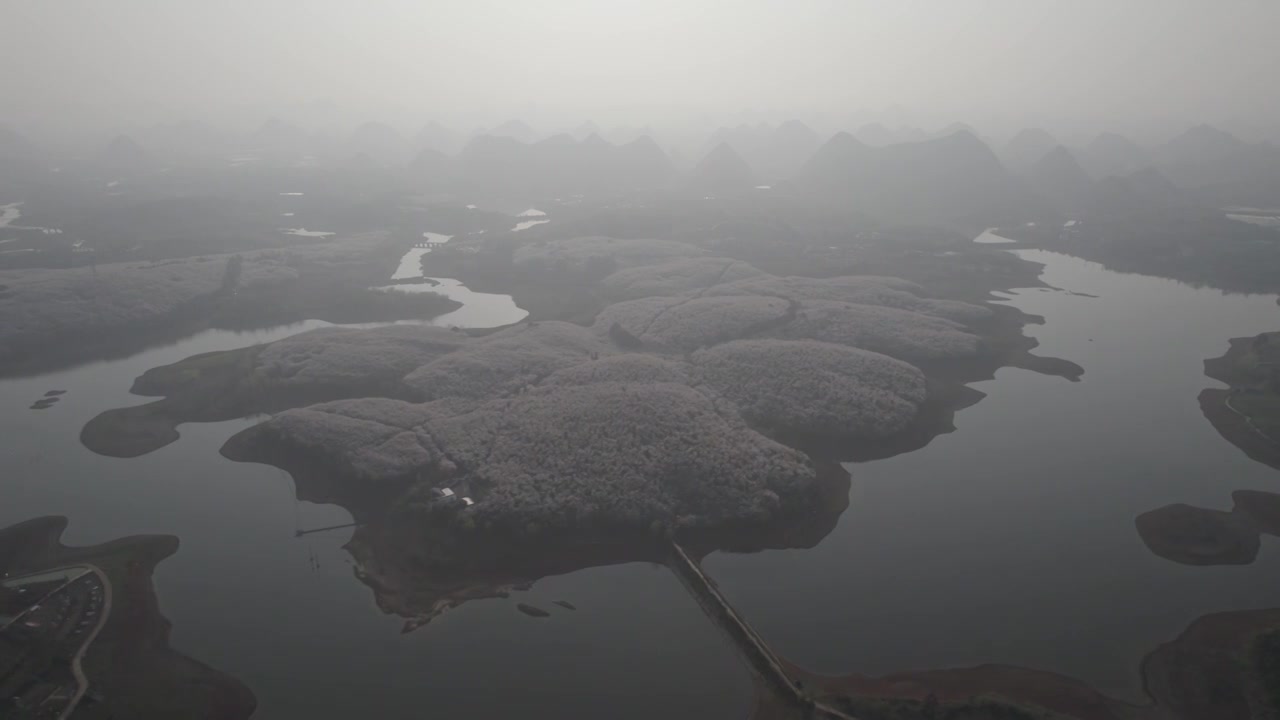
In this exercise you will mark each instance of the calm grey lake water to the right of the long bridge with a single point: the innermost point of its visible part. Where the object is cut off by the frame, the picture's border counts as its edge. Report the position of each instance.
(1012, 540)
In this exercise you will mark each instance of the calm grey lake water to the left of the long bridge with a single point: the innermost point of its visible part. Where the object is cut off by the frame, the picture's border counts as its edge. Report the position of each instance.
(244, 598)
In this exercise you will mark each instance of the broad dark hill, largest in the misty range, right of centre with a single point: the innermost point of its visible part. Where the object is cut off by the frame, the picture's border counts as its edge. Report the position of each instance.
(954, 180)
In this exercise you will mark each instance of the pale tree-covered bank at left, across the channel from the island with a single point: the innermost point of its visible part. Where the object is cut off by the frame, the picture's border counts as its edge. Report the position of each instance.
(56, 318)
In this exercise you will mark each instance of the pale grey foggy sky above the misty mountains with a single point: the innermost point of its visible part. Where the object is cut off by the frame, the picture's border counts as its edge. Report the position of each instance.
(1078, 66)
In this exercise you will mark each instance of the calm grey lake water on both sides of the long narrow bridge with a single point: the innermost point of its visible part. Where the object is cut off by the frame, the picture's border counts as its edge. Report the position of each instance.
(1008, 541)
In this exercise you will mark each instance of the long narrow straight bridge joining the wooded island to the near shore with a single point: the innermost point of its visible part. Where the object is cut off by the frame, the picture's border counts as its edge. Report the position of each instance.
(752, 645)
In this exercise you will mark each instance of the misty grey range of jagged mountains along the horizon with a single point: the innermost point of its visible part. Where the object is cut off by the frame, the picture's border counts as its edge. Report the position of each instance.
(952, 177)
